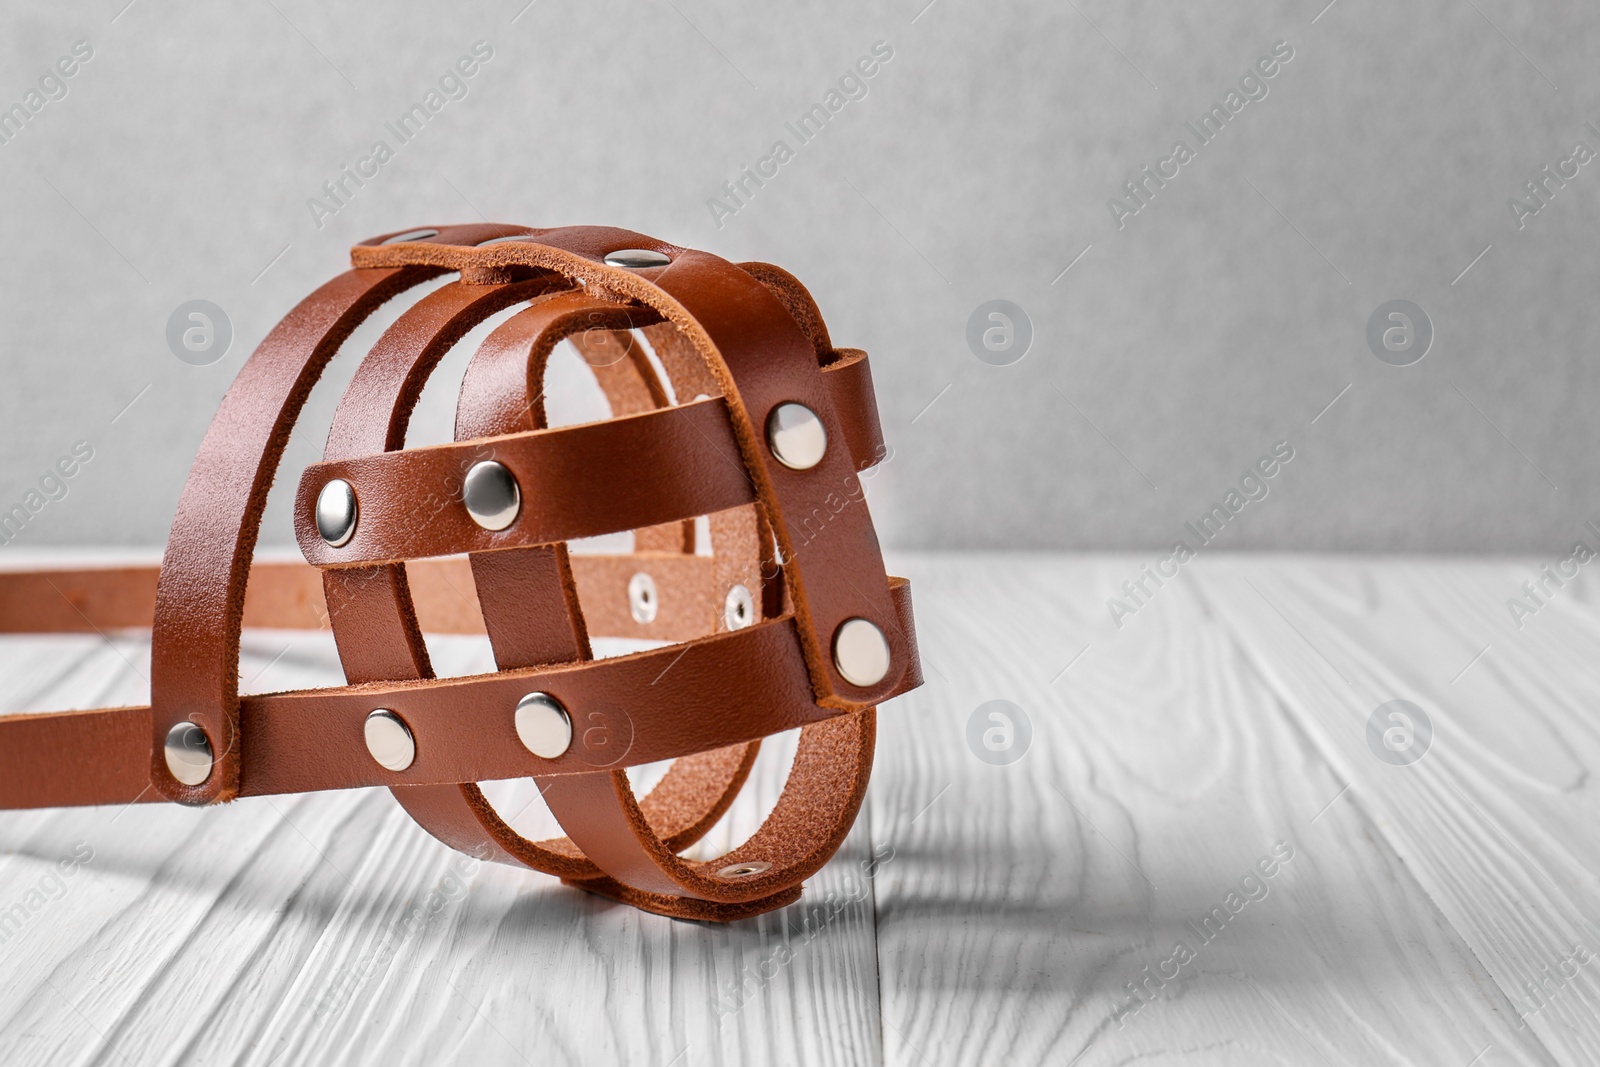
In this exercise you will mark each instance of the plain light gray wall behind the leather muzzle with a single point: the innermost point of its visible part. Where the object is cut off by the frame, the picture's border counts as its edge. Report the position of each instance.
(1177, 351)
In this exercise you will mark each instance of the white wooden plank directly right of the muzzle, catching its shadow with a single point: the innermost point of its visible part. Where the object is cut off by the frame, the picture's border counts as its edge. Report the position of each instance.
(1025, 900)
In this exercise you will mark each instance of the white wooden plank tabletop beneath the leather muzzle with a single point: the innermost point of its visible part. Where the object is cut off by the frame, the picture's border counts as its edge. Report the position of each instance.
(1431, 913)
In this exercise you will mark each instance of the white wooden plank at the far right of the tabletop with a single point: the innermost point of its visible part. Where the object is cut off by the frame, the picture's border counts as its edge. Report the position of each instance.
(1498, 818)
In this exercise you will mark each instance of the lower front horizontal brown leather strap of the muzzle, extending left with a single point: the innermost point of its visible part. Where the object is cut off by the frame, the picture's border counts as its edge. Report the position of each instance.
(465, 729)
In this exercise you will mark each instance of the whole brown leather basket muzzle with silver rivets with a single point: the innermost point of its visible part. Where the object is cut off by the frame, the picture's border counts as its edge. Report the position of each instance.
(732, 343)
